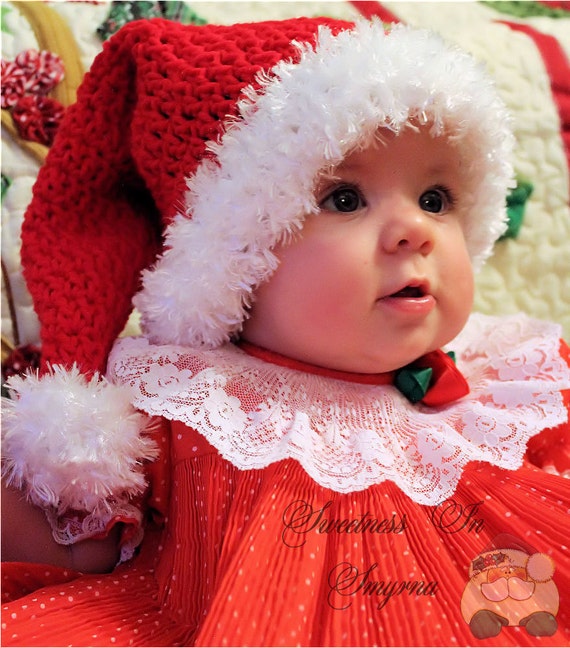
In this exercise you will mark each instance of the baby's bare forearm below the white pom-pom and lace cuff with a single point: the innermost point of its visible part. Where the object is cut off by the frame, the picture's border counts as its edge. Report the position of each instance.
(27, 537)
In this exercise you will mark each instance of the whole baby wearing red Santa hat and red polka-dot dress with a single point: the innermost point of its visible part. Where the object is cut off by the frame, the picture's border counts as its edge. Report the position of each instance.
(288, 454)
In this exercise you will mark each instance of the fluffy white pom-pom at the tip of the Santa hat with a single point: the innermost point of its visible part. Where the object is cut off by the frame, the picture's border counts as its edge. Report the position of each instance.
(73, 443)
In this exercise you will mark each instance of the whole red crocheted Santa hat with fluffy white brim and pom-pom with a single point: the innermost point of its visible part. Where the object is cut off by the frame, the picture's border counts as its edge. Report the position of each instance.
(191, 152)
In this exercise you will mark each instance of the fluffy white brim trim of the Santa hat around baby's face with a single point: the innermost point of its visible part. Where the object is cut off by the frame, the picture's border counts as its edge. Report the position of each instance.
(305, 117)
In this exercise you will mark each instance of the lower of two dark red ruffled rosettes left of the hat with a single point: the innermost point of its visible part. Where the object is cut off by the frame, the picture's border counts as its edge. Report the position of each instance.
(37, 118)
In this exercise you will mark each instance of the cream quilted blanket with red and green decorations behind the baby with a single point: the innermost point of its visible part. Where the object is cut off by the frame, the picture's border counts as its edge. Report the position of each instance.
(525, 45)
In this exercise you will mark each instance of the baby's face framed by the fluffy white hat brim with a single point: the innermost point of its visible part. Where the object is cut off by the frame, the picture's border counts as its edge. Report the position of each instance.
(381, 275)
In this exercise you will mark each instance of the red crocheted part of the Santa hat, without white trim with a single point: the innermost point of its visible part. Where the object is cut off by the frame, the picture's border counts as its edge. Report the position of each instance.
(117, 171)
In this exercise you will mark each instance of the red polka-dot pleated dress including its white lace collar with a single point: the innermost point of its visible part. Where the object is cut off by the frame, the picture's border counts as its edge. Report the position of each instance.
(267, 537)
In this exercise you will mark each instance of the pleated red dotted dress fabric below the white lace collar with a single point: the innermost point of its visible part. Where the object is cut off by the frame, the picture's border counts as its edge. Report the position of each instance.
(268, 557)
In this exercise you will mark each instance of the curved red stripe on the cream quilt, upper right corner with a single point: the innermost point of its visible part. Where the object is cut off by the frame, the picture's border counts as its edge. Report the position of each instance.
(558, 68)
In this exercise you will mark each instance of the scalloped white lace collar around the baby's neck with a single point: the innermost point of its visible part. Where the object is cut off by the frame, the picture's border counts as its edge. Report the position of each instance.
(348, 436)
